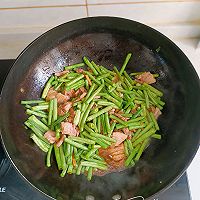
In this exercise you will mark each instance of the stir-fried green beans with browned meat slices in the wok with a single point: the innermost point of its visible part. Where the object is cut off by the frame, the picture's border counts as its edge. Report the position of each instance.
(87, 115)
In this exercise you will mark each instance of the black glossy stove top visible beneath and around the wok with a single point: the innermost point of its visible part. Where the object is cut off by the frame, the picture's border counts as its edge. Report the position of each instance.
(14, 187)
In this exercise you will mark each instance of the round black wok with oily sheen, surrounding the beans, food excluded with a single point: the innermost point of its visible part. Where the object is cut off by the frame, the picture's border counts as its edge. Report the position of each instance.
(106, 40)
